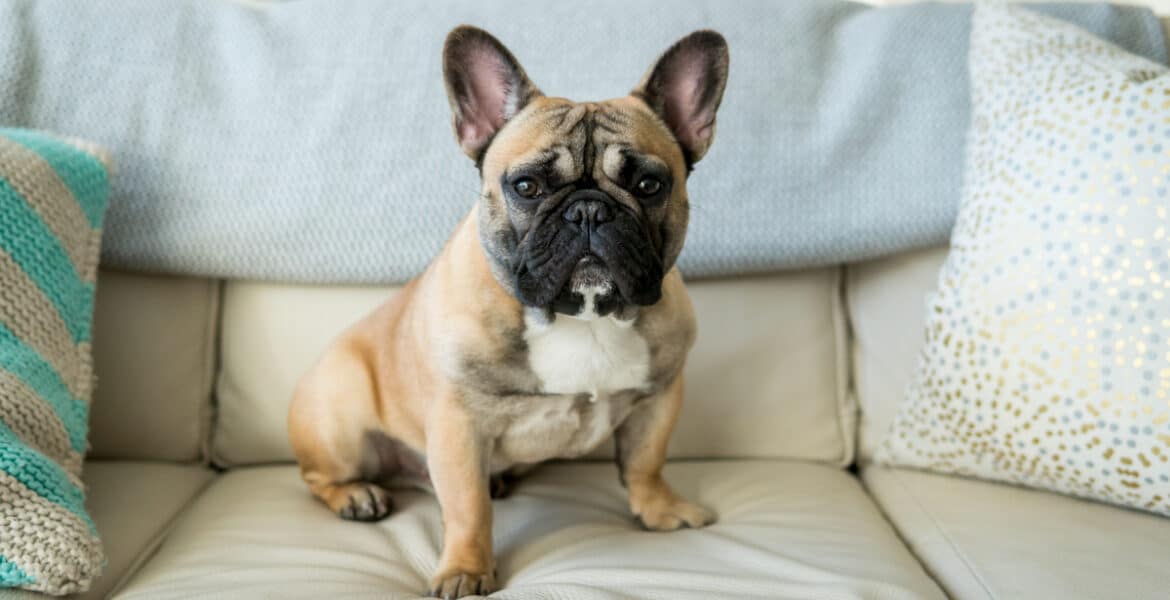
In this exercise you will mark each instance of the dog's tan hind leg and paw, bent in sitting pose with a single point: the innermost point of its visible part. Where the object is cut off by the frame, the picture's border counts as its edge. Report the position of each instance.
(332, 415)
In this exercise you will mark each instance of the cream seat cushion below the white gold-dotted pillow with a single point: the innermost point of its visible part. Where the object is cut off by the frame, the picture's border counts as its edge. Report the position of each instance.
(983, 540)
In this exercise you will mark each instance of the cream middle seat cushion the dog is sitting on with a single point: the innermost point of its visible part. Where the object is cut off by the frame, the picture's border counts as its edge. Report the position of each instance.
(786, 530)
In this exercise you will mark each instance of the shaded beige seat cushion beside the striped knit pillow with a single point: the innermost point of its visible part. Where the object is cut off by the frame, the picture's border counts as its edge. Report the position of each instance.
(133, 504)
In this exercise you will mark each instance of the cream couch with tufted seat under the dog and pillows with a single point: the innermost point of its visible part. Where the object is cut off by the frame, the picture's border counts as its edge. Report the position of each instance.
(794, 382)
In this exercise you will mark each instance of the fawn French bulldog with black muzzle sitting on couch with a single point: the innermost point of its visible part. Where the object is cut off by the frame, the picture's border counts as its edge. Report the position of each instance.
(553, 319)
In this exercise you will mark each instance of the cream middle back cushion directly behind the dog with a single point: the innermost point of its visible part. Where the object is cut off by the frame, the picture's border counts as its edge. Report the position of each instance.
(765, 381)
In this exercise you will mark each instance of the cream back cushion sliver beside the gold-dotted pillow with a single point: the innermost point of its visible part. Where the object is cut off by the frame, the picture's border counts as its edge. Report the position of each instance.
(887, 307)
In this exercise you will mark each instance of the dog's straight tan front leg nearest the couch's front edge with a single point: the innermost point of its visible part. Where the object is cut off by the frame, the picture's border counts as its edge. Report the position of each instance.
(458, 461)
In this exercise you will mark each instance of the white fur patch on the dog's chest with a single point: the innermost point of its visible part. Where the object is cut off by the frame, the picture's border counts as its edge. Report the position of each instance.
(597, 356)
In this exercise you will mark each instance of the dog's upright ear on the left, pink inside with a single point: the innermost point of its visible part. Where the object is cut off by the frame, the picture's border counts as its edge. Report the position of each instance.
(486, 87)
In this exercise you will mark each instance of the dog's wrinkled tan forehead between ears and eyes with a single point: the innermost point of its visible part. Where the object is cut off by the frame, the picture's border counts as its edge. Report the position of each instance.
(573, 141)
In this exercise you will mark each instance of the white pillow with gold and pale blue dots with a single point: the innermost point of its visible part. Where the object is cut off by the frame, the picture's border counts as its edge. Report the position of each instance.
(1048, 347)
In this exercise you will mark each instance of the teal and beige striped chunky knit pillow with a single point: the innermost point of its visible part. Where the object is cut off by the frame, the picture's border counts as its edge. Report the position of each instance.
(53, 197)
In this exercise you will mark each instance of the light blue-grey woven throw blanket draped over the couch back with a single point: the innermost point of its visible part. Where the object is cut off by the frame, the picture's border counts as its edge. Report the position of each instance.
(298, 142)
